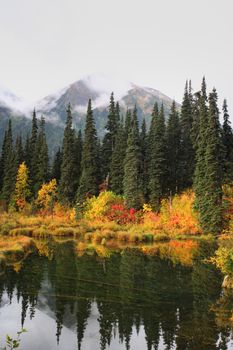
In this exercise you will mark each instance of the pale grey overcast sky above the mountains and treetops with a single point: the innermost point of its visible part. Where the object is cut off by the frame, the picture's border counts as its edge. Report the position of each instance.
(47, 44)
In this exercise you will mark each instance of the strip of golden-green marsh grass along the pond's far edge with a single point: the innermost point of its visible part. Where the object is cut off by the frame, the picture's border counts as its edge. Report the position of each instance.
(17, 225)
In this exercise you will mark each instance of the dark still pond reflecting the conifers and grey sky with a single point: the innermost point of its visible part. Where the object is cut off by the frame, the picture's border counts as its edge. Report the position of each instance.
(125, 301)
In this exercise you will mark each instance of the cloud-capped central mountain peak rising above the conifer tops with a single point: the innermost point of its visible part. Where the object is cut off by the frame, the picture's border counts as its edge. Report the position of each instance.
(99, 88)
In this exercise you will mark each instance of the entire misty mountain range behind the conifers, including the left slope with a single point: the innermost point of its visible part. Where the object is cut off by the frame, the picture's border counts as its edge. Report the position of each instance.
(96, 87)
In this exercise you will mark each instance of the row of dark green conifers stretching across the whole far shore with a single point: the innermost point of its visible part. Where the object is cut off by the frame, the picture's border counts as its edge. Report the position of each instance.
(191, 149)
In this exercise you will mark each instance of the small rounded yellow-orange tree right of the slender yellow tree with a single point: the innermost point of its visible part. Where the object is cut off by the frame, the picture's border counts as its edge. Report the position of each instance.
(47, 195)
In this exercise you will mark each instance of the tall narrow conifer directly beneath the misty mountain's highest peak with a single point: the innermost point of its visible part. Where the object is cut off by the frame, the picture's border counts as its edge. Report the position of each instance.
(90, 173)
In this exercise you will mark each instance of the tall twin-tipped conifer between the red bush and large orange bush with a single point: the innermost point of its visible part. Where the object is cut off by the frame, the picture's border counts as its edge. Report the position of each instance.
(157, 163)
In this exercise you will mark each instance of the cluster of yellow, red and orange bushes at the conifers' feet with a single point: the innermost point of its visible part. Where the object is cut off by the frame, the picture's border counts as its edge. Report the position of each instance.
(175, 217)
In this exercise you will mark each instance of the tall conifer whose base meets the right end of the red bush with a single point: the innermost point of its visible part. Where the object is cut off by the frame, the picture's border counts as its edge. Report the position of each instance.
(132, 182)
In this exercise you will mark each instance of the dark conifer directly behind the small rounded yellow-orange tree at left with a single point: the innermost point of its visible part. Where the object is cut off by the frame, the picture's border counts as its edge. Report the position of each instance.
(42, 164)
